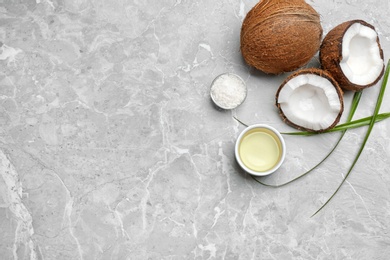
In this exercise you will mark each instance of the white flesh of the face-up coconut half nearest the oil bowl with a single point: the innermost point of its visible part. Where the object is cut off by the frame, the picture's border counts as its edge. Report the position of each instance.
(310, 101)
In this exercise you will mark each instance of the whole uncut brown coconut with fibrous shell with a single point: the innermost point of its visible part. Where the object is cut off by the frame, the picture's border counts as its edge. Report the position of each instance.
(280, 35)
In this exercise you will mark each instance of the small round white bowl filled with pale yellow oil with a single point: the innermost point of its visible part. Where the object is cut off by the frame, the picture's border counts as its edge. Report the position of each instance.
(260, 150)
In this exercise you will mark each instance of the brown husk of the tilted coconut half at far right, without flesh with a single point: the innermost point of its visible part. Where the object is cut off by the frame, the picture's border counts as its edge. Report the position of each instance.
(331, 55)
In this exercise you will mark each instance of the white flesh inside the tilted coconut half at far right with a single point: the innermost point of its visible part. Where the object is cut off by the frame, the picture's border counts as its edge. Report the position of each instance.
(361, 63)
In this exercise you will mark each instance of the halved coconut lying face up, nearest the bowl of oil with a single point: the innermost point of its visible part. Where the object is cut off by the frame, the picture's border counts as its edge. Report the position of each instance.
(311, 100)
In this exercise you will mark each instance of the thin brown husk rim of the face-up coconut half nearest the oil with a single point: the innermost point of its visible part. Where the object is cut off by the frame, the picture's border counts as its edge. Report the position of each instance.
(320, 73)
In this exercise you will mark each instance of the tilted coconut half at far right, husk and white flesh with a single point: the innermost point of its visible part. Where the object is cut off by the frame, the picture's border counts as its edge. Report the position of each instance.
(352, 53)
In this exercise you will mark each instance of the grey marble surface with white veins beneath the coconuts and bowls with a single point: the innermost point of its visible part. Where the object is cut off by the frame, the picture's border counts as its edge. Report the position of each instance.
(110, 147)
